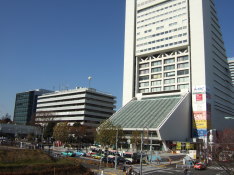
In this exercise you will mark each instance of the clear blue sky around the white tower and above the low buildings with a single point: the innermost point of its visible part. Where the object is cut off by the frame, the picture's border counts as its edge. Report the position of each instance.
(53, 44)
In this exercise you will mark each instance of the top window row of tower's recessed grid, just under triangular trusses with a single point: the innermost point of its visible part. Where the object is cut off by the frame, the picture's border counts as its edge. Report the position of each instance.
(166, 61)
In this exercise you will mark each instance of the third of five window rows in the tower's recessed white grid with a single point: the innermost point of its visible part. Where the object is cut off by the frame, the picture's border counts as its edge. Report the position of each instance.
(167, 74)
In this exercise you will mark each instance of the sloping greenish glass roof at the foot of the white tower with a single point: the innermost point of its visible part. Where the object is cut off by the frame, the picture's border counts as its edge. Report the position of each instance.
(146, 113)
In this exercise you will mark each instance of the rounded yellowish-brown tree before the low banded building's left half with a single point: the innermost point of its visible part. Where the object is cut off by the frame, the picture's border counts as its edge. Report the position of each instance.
(61, 132)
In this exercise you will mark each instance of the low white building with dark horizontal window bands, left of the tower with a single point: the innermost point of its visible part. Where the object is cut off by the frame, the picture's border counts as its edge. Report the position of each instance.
(84, 105)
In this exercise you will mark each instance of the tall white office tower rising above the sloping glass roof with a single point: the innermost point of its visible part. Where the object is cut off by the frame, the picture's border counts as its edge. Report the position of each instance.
(175, 46)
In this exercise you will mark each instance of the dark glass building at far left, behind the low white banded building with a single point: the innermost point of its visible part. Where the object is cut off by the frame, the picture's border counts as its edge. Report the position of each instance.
(25, 106)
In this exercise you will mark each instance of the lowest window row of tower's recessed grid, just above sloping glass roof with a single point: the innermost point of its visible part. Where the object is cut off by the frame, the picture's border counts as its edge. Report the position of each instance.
(165, 88)
